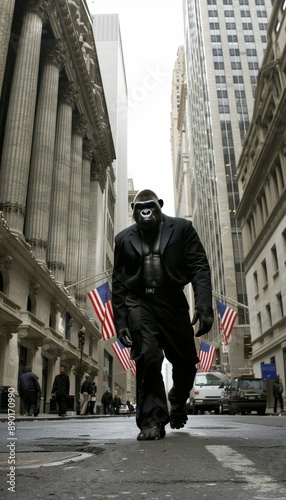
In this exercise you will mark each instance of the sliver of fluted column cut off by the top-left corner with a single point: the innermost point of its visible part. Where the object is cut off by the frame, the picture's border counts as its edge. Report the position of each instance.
(6, 17)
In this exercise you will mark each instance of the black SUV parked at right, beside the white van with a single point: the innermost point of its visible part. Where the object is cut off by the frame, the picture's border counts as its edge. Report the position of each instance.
(245, 394)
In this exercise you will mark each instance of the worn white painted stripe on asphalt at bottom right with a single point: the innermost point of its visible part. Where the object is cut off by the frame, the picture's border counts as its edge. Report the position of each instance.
(245, 469)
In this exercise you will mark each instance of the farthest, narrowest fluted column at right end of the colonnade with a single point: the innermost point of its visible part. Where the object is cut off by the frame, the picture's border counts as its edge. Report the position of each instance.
(84, 219)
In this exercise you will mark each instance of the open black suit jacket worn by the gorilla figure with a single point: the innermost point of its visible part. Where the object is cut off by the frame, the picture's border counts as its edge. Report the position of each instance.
(182, 255)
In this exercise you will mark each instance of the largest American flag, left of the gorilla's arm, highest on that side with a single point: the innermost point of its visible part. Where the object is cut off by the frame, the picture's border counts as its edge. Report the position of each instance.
(100, 298)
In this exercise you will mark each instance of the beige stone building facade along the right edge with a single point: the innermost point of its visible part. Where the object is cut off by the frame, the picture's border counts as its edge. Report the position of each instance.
(262, 181)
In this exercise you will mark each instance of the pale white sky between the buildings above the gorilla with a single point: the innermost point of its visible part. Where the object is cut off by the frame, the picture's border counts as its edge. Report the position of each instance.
(151, 32)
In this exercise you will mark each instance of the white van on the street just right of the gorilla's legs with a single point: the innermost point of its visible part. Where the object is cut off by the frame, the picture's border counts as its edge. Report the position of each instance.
(206, 392)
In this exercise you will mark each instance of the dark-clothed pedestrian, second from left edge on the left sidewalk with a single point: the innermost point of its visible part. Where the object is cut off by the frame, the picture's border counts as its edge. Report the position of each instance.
(29, 389)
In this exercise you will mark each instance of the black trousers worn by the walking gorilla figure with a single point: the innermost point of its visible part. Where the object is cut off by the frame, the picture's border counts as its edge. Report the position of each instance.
(160, 326)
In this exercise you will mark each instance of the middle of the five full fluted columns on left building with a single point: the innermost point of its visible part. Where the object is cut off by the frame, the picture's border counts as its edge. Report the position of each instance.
(56, 252)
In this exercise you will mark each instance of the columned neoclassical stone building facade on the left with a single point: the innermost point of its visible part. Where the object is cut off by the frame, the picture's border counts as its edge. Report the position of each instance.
(56, 190)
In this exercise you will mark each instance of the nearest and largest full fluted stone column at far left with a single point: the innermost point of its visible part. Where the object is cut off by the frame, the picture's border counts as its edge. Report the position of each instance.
(20, 118)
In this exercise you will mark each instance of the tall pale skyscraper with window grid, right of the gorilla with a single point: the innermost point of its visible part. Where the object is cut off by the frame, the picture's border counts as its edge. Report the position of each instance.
(224, 44)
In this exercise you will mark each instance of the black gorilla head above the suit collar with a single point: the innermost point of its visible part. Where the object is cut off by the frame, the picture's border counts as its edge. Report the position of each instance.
(147, 210)
